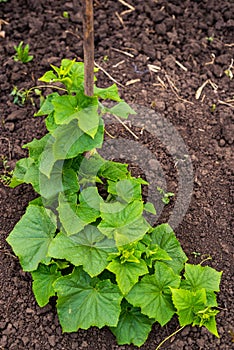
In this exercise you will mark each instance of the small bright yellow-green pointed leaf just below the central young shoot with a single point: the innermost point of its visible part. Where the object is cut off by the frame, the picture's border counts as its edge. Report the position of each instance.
(127, 273)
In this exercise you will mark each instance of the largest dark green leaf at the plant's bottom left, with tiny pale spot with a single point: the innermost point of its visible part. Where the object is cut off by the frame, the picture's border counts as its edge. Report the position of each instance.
(84, 302)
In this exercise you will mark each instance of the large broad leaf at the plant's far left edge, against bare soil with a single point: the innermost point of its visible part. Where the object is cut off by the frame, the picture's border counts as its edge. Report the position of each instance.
(32, 235)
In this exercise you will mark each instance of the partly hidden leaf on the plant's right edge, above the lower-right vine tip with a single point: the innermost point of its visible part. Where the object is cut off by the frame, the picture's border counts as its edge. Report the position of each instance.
(164, 236)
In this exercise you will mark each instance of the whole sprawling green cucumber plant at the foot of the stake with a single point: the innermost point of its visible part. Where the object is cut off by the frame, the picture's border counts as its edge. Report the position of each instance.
(85, 239)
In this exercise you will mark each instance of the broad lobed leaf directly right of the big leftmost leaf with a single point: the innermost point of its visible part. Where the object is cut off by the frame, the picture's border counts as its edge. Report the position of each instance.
(88, 248)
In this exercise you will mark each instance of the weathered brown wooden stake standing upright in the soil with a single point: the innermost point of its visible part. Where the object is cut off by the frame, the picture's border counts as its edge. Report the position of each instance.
(88, 47)
